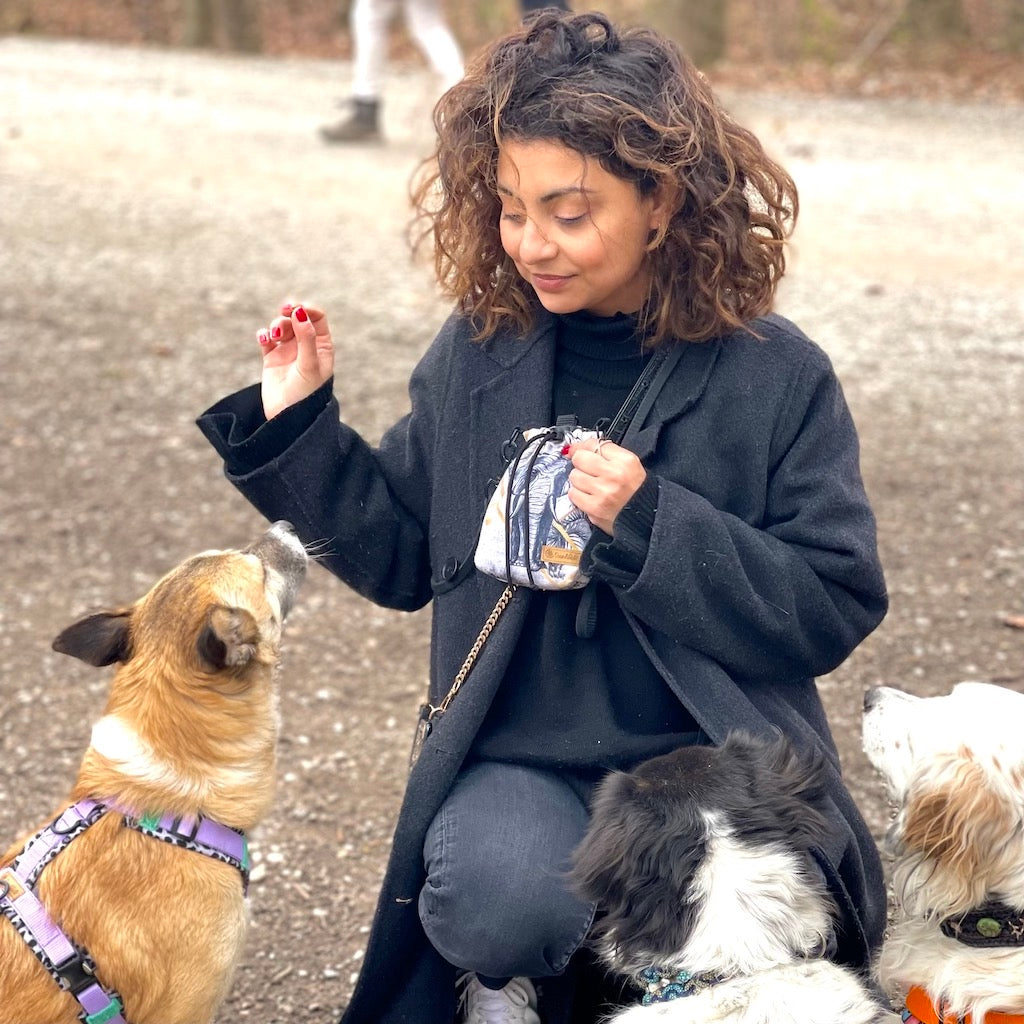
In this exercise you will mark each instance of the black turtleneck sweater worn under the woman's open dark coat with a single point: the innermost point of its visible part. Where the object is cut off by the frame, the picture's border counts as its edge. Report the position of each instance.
(586, 705)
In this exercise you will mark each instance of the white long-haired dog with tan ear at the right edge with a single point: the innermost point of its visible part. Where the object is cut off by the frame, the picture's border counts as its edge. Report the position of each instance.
(955, 767)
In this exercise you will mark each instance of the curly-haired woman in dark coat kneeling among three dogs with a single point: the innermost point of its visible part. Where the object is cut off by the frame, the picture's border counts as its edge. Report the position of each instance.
(589, 202)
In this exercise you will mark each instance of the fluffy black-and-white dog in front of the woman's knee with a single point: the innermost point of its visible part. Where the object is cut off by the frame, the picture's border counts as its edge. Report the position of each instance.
(701, 861)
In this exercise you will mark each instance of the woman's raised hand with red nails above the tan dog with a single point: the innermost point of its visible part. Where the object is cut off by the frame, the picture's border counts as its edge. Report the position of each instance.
(298, 357)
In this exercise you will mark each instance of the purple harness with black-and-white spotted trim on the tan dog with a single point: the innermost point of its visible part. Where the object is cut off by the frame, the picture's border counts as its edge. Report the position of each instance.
(70, 966)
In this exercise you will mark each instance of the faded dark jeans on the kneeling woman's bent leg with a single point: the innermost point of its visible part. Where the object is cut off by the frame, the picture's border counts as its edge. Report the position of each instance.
(497, 901)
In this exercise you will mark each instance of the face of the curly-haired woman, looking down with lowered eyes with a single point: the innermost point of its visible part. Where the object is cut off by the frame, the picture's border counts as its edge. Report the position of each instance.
(577, 233)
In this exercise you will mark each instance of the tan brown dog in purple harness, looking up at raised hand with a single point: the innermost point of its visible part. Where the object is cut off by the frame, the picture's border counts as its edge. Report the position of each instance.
(190, 732)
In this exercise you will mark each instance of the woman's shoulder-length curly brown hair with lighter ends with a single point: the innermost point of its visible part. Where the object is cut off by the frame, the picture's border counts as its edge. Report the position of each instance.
(634, 103)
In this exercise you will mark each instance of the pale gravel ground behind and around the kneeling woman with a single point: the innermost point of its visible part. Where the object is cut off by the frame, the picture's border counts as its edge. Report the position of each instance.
(156, 206)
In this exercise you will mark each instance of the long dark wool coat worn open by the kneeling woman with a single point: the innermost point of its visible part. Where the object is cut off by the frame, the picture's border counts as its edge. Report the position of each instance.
(762, 574)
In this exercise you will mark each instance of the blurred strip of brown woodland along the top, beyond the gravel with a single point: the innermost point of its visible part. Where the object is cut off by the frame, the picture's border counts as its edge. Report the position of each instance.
(824, 34)
